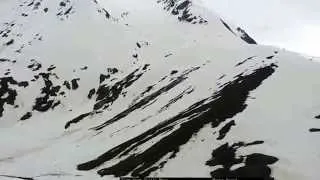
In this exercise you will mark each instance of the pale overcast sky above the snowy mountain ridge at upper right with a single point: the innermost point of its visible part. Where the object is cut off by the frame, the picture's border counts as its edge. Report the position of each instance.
(290, 24)
